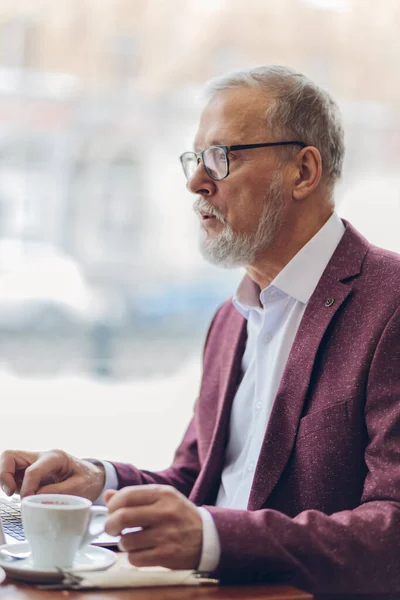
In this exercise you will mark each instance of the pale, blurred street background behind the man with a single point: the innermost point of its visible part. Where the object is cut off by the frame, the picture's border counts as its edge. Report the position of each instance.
(104, 297)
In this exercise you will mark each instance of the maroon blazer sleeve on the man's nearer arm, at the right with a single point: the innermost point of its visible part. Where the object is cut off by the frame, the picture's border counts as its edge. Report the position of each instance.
(352, 551)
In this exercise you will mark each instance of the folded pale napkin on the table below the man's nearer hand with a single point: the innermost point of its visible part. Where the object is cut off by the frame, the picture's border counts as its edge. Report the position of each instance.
(124, 575)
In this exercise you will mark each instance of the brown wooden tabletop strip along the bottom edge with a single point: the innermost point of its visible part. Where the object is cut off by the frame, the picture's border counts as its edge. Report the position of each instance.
(10, 590)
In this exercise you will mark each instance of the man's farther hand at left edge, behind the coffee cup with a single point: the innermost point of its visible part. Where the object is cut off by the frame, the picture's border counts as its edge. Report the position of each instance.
(53, 472)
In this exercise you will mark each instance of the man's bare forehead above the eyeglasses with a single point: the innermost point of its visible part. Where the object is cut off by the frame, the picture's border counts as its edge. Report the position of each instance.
(231, 117)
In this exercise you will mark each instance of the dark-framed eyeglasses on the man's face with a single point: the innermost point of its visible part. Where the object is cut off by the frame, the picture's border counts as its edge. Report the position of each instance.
(215, 159)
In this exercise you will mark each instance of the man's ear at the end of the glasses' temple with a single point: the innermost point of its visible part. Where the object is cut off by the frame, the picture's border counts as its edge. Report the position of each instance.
(308, 172)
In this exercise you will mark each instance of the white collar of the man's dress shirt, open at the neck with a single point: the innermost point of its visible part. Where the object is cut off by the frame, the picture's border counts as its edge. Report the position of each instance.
(300, 276)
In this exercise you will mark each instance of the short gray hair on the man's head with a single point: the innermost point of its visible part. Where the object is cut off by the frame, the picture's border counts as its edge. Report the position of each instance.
(301, 109)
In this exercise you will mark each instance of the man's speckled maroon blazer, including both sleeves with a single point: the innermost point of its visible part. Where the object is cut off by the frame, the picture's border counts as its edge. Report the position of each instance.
(324, 508)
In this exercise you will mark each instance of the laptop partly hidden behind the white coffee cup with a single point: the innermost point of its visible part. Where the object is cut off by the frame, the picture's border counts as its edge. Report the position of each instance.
(11, 529)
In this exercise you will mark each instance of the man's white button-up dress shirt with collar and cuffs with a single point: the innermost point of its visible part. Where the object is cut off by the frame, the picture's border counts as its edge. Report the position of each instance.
(273, 317)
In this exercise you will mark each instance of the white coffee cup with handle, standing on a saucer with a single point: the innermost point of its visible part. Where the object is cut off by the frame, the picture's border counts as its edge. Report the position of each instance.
(56, 526)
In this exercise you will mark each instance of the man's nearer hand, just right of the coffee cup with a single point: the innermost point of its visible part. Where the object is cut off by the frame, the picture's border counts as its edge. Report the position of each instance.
(172, 531)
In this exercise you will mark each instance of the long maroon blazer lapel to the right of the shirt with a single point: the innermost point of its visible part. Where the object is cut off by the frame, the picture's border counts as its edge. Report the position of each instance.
(283, 423)
